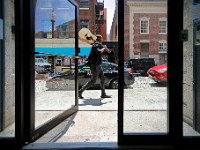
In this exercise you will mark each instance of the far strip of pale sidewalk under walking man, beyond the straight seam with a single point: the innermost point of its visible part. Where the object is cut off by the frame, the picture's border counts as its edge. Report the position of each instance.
(134, 99)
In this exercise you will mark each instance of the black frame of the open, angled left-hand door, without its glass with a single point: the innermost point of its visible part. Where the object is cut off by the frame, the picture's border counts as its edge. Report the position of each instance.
(28, 76)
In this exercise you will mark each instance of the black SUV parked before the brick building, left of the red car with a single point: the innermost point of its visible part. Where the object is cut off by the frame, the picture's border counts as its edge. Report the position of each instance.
(140, 65)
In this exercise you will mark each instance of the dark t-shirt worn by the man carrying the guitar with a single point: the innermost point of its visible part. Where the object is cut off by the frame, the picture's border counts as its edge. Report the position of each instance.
(95, 54)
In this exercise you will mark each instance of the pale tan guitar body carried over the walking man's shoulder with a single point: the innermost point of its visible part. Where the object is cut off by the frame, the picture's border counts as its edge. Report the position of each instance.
(86, 36)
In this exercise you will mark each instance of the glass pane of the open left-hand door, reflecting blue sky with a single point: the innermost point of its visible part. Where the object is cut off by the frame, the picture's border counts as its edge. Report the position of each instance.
(54, 58)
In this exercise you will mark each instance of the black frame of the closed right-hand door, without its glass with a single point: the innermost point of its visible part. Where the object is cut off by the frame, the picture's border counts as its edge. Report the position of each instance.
(174, 85)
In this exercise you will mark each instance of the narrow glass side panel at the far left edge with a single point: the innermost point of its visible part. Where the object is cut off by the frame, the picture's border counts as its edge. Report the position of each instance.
(7, 69)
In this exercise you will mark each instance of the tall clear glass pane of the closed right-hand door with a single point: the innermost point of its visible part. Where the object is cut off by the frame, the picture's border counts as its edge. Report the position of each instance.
(145, 54)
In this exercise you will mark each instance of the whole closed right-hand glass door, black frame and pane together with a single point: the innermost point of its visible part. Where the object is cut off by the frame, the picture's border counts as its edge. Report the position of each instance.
(150, 41)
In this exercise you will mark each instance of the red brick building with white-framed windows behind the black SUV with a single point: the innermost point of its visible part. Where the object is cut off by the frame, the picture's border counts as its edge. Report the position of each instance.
(145, 29)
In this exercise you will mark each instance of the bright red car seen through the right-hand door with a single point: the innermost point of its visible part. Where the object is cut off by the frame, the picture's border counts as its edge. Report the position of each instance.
(158, 73)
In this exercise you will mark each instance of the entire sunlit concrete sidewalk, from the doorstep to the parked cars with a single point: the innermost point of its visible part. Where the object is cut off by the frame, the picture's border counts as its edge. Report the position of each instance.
(96, 120)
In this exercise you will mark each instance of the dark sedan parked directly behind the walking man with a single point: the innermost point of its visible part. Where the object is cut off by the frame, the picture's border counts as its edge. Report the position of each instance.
(110, 72)
